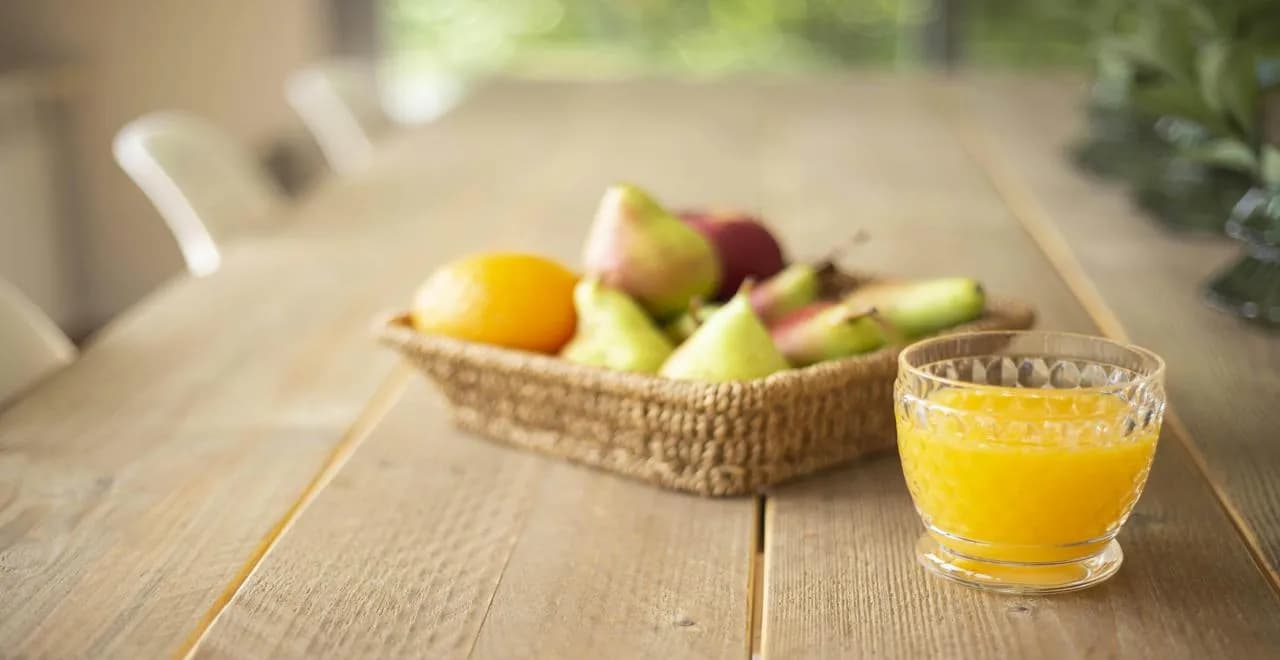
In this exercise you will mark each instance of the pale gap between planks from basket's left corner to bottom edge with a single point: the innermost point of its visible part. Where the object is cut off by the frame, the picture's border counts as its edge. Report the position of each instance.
(383, 400)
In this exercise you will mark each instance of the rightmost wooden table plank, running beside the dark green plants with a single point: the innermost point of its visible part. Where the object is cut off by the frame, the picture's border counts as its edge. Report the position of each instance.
(1223, 379)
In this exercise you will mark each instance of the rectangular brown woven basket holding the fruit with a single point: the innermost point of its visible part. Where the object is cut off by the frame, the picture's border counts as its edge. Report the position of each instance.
(711, 439)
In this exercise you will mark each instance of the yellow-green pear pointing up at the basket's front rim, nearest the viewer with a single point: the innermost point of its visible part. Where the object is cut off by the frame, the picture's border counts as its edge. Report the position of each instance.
(733, 345)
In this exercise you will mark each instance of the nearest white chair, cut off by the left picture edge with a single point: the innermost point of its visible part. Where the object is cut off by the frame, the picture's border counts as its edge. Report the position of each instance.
(31, 346)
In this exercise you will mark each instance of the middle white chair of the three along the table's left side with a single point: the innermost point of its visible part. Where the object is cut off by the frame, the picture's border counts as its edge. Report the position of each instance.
(205, 186)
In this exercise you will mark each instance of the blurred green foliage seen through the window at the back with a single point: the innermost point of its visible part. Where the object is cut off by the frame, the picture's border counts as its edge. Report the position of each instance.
(721, 36)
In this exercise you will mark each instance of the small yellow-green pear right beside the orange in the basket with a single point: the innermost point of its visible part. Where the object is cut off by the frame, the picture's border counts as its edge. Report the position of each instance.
(614, 332)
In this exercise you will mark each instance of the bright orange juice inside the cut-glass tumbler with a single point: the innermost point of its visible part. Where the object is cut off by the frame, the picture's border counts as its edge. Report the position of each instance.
(1025, 475)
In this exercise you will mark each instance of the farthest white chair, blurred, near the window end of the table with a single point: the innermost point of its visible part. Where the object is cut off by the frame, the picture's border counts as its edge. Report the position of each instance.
(341, 106)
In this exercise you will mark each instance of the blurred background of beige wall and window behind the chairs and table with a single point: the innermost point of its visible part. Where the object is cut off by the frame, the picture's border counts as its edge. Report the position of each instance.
(83, 241)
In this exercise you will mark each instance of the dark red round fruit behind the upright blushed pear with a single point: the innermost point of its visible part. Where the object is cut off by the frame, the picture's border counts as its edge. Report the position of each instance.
(744, 245)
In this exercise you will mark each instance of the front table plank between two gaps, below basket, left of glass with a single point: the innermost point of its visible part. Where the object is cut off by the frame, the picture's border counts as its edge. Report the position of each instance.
(428, 535)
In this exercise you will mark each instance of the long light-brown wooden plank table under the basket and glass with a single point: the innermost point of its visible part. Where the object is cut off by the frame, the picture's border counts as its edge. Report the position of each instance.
(236, 470)
